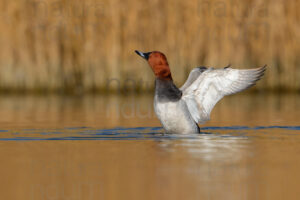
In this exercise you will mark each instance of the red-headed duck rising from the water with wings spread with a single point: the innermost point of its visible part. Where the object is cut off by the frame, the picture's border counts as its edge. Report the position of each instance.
(180, 110)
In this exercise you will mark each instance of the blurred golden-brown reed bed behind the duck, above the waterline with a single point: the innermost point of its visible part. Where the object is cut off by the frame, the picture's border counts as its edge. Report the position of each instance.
(82, 46)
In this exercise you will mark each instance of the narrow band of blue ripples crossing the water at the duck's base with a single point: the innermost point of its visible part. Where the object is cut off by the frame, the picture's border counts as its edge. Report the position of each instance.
(142, 133)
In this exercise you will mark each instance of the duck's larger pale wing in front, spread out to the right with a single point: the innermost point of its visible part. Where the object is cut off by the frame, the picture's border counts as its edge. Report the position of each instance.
(213, 84)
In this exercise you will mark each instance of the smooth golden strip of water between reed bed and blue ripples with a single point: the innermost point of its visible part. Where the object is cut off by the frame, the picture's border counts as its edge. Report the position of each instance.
(137, 111)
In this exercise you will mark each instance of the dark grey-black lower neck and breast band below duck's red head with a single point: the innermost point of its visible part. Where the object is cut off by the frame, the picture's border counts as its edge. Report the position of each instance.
(165, 90)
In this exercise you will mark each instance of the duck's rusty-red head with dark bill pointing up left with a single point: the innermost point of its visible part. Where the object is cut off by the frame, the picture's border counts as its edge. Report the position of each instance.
(158, 63)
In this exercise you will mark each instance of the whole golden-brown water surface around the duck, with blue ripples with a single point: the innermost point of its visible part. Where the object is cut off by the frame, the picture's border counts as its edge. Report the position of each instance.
(110, 147)
